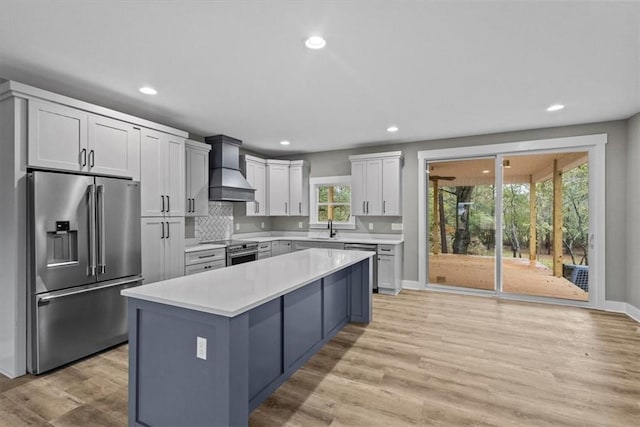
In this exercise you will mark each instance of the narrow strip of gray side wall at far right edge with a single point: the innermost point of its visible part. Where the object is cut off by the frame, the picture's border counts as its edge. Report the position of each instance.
(633, 211)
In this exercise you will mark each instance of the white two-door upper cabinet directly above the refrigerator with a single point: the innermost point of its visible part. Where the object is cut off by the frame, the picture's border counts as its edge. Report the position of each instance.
(69, 139)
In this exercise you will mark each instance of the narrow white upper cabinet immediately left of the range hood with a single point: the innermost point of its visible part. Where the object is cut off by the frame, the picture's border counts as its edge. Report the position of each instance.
(197, 178)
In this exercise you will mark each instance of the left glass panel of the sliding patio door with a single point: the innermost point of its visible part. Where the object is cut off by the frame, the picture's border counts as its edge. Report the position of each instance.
(462, 226)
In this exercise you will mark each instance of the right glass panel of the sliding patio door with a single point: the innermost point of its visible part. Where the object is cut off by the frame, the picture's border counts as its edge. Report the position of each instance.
(545, 225)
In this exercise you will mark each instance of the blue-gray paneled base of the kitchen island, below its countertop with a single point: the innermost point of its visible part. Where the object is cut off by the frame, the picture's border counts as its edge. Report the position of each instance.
(247, 356)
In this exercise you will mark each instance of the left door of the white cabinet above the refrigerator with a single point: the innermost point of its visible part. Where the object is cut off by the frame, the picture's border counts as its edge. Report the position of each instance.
(57, 137)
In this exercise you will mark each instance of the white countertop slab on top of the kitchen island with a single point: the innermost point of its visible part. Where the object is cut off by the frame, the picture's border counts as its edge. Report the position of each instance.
(234, 290)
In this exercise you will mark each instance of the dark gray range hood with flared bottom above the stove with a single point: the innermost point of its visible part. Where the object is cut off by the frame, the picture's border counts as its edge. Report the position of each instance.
(226, 182)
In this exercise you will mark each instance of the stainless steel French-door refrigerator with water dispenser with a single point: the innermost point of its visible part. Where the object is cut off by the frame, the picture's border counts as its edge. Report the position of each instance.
(84, 248)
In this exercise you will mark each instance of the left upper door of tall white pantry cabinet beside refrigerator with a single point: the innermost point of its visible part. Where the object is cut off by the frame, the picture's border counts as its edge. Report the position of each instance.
(152, 194)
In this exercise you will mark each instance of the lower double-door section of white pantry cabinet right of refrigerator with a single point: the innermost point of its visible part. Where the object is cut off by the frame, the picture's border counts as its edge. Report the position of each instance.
(162, 248)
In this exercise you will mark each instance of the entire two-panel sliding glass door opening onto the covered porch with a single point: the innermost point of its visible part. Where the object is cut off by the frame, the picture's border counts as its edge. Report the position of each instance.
(514, 224)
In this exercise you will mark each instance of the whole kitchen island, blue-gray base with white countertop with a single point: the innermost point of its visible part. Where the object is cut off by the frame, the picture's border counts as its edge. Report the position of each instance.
(209, 348)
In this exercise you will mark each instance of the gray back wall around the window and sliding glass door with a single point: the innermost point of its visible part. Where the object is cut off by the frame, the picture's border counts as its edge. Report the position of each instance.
(337, 163)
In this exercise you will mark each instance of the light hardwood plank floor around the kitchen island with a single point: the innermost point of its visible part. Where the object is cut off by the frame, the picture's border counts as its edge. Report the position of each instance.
(426, 359)
